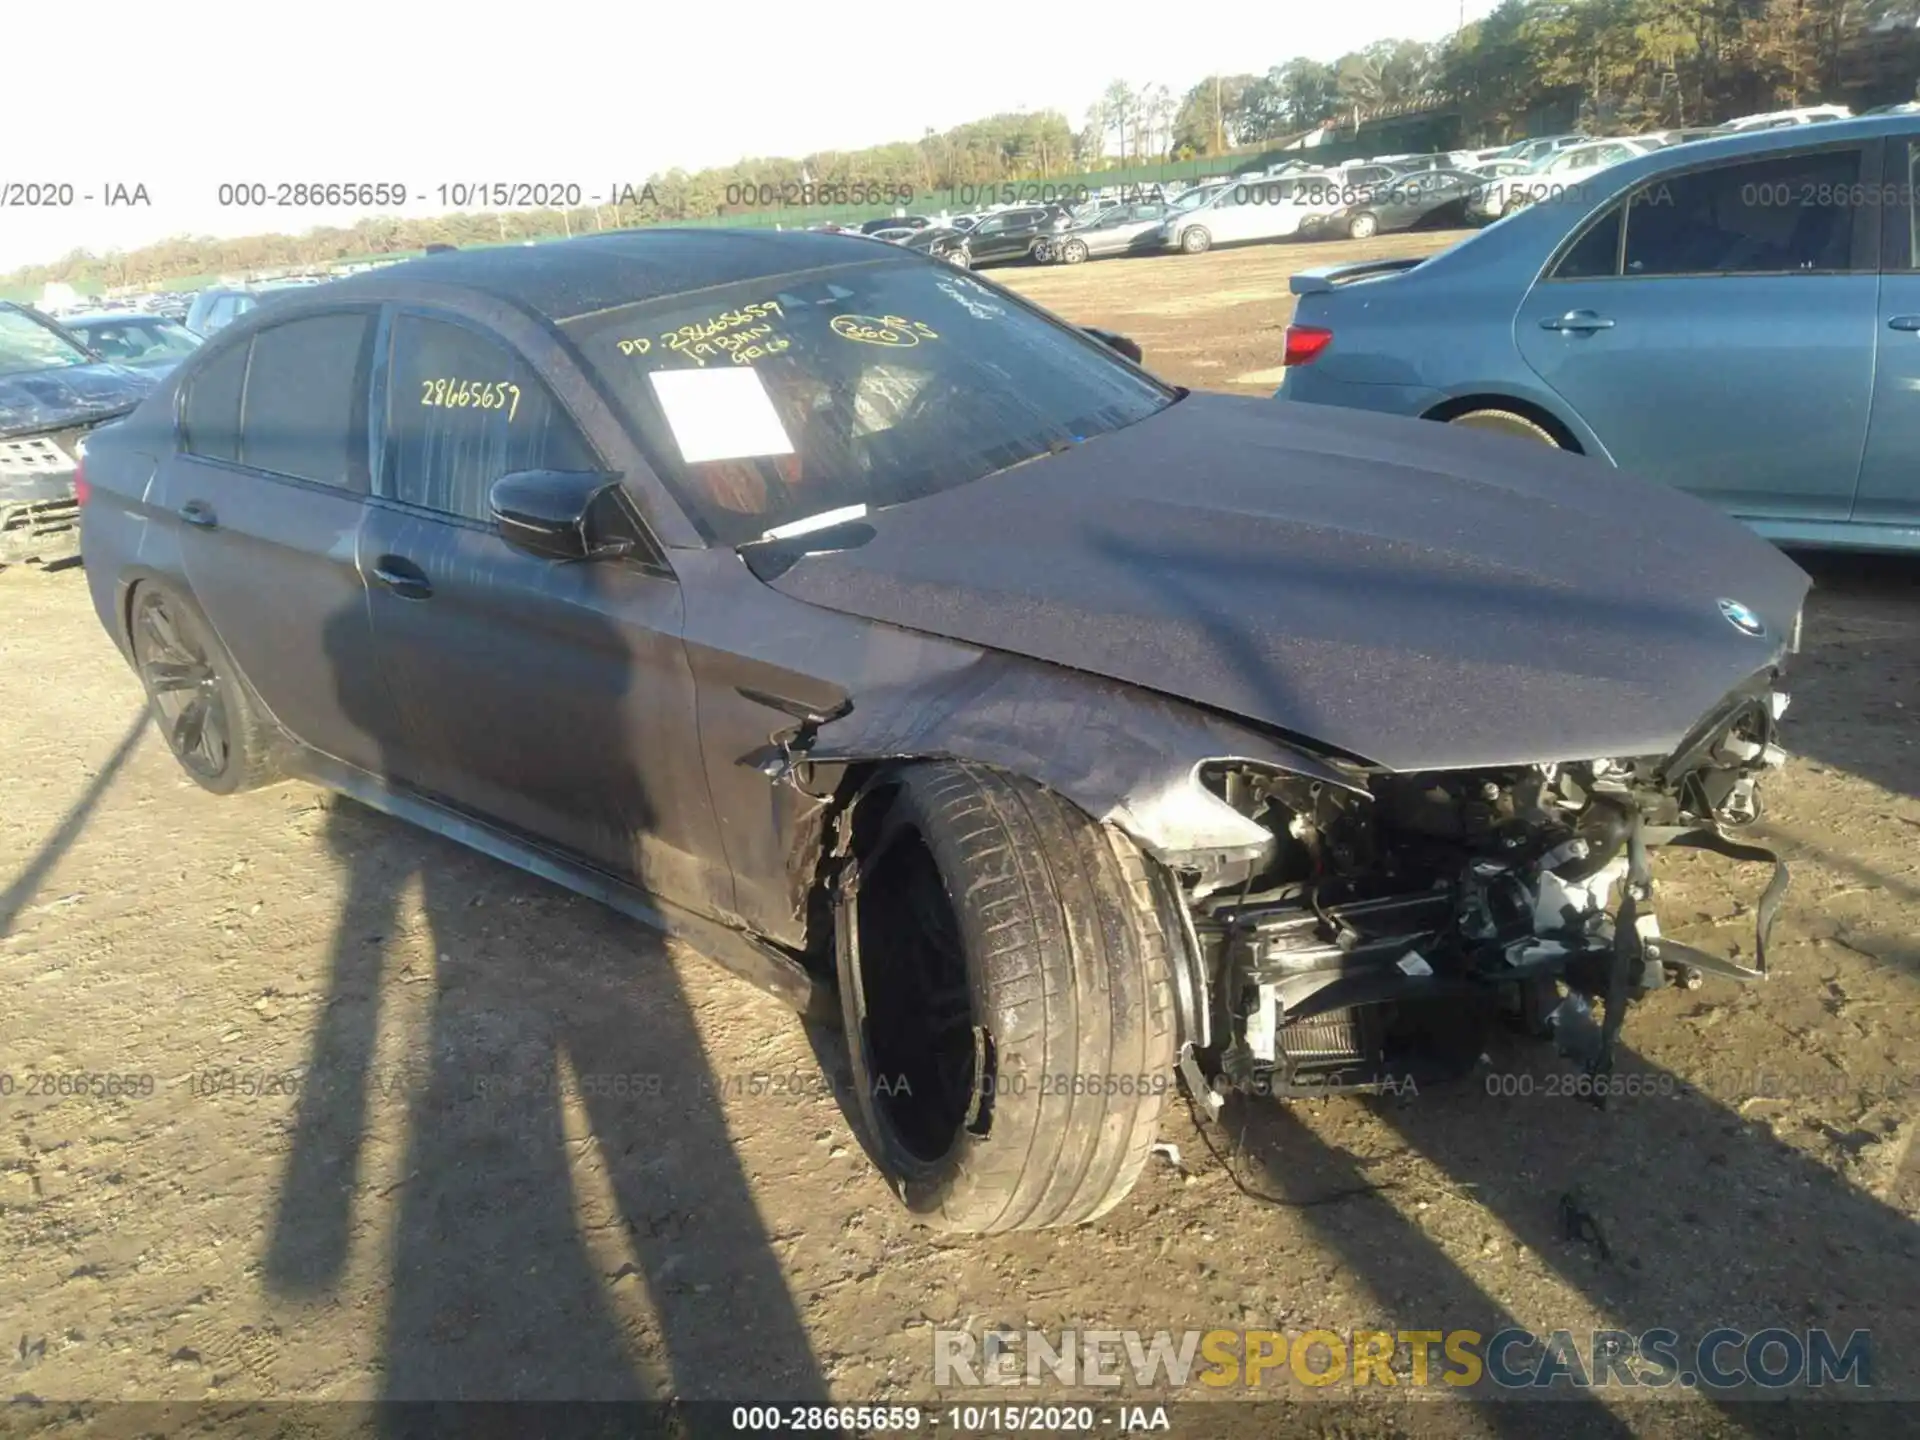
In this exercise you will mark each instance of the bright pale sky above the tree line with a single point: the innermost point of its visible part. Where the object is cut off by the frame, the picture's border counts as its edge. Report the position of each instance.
(181, 99)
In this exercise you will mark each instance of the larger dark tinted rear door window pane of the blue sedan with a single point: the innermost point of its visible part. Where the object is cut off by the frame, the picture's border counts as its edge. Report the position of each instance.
(1769, 216)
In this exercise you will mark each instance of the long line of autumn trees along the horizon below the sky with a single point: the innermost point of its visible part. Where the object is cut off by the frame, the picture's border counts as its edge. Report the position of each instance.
(1616, 64)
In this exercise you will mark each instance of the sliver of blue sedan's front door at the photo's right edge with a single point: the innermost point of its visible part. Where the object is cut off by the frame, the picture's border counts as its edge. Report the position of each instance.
(1890, 477)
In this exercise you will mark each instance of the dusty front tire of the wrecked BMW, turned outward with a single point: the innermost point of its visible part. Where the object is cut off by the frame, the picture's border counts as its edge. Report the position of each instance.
(999, 951)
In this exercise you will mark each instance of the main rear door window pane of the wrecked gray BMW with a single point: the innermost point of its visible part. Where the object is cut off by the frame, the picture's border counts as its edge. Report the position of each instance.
(306, 410)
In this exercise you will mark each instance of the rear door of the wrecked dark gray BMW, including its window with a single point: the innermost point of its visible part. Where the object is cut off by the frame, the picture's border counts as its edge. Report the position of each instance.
(268, 492)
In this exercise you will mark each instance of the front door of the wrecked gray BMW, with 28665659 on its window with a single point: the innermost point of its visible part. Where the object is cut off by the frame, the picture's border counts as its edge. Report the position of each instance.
(554, 700)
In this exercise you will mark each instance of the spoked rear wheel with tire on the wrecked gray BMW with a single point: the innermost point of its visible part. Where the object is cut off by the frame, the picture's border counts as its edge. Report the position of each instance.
(187, 673)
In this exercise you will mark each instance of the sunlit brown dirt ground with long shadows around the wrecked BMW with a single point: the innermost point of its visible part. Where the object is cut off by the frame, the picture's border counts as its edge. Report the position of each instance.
(393, 1120)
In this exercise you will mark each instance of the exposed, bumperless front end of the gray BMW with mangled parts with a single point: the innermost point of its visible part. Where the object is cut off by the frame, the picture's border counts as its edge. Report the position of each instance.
(1385, 930)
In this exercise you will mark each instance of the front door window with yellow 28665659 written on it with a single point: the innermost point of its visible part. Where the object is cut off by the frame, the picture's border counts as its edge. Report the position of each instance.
(462, 414)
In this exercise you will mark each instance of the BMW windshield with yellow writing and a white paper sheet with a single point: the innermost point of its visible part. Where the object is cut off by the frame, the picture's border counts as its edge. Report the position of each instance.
(861, 385)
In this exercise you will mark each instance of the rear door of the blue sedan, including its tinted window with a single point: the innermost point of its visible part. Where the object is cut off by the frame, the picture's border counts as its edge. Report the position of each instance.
(1717, 329)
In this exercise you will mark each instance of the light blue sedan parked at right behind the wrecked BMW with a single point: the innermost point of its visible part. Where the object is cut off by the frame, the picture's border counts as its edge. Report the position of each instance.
(1737, 318)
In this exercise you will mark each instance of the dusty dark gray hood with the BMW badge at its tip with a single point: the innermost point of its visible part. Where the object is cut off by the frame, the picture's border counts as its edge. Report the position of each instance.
(1412, 594)
